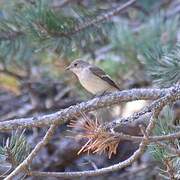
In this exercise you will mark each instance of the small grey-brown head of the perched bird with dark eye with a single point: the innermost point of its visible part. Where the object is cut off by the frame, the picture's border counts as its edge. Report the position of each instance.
(77, 66)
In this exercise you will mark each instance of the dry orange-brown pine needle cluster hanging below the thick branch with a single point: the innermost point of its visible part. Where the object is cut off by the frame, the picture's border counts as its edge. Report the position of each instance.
(98, 140)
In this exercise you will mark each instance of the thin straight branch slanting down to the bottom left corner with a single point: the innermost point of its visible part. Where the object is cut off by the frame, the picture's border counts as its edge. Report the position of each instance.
(24, 165)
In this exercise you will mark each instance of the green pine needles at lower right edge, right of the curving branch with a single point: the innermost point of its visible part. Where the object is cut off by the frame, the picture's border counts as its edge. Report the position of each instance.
(167, 151)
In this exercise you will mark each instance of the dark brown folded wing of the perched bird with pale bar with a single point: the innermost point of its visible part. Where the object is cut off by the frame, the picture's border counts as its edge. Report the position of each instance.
(101, 74)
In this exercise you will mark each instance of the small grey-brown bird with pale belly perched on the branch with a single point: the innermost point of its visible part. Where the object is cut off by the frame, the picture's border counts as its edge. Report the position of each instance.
(92, 78)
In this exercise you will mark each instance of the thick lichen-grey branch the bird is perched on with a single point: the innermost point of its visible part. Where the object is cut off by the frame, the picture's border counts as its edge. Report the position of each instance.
(67, 114)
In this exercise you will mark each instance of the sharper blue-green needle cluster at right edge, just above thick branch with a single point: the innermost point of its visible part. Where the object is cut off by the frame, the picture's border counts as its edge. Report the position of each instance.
(163, 65)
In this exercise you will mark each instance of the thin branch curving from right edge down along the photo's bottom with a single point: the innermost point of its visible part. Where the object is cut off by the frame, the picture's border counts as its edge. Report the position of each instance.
(173, 95)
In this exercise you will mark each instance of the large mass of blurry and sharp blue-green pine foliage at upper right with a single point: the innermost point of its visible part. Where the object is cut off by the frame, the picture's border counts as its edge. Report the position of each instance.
(152, 45)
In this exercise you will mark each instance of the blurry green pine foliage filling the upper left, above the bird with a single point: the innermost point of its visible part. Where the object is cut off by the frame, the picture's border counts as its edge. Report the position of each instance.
(30, 30)
